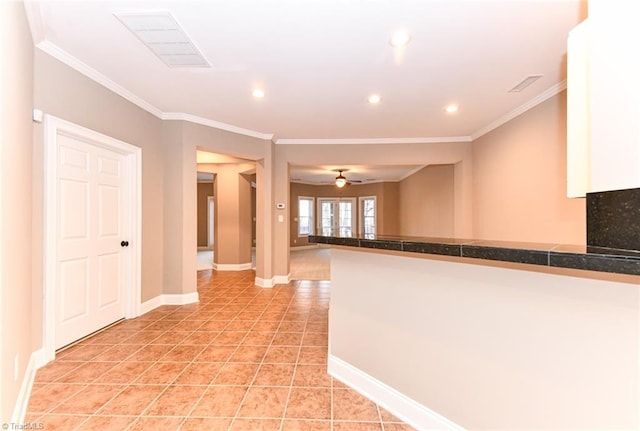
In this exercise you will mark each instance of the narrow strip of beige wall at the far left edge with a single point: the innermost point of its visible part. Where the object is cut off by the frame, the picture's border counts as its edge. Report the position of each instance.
(16, 146)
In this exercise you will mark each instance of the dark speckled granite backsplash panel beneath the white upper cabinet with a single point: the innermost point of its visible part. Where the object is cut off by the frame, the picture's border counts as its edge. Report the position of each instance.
(613, 219)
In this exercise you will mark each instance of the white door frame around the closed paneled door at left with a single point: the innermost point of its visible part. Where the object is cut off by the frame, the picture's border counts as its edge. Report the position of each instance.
(133, 158)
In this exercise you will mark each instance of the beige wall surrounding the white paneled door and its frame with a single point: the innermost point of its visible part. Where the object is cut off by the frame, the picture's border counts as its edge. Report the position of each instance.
(67, 94)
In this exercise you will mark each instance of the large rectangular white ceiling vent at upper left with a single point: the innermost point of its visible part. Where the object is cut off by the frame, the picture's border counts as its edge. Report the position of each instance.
(160, 32)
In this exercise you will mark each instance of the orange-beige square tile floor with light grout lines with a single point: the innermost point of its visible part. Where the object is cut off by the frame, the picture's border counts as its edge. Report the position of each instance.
(244, 358)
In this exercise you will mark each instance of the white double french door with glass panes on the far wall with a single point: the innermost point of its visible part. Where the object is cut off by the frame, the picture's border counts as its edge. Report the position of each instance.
(337, 216)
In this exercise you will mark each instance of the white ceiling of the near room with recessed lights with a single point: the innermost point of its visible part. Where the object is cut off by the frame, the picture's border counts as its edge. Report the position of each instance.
(318, 61)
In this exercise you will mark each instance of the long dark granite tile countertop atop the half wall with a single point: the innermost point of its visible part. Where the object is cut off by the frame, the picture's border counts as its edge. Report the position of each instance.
(554, 255)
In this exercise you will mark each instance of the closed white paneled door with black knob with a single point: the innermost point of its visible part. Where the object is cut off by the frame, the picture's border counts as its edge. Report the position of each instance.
(92, 242)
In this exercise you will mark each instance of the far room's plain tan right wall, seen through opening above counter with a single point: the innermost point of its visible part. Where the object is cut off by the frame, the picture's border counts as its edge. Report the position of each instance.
(427, 202)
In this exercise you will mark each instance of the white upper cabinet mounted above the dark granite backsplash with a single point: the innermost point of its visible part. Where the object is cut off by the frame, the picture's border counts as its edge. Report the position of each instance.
(604, 99)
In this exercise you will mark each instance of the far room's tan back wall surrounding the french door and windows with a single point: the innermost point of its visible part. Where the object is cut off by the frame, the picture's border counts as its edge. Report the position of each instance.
(387, 217)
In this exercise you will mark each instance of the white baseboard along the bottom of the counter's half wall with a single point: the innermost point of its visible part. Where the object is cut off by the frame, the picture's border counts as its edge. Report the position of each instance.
(398, 404)
